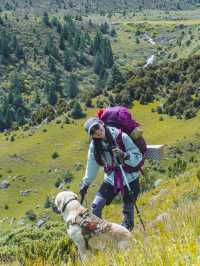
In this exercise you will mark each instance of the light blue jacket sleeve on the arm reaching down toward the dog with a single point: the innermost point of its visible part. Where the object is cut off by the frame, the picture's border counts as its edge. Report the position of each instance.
(91, 168)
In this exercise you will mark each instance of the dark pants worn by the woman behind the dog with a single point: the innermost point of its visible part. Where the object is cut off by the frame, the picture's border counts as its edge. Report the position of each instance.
(106, 194)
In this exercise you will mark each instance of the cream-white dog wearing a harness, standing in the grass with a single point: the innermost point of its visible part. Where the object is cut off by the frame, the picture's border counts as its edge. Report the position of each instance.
(87, 230)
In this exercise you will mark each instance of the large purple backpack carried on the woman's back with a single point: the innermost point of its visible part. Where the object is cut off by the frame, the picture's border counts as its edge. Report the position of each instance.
(120, 117)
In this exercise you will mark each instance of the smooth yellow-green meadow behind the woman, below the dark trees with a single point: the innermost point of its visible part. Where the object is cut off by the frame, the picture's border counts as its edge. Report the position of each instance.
(34, 159)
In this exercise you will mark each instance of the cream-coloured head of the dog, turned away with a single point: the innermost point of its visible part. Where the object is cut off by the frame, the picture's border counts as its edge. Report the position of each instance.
(63, 198)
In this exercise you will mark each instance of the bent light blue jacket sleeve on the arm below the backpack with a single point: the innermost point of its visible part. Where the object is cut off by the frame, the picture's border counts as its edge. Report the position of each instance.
(134, 154)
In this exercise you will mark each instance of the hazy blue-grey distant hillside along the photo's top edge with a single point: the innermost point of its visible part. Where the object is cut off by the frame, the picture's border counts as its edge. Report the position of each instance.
(97, 6)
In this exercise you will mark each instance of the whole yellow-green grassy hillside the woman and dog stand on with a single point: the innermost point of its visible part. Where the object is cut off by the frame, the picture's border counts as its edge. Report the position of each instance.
(167, 206)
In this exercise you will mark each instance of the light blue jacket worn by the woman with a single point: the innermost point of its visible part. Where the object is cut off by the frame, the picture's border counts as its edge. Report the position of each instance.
(92, 168)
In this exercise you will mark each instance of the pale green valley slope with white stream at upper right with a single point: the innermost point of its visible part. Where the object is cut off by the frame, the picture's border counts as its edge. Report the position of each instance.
(165, 29)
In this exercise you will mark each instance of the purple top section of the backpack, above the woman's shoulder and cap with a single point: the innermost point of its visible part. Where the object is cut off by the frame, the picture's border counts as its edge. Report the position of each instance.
(118, 116)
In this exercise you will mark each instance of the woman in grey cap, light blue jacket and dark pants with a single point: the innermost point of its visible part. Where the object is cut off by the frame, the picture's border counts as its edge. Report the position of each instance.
(106, 150)
